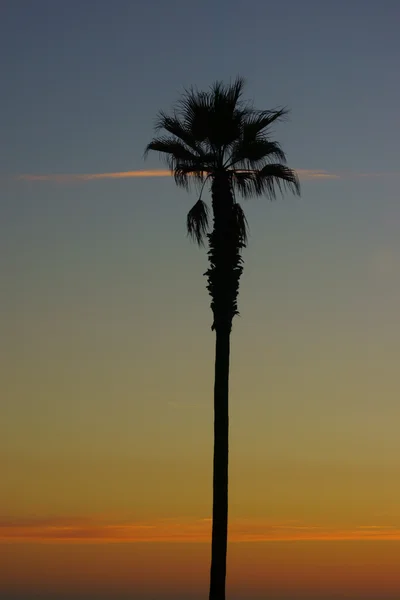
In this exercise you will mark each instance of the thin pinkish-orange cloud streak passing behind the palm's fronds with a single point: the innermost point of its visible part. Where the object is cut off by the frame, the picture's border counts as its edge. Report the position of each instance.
(304, 174)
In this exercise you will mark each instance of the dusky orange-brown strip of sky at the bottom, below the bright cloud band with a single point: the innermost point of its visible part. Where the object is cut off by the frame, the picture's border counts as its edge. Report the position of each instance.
(281, 570)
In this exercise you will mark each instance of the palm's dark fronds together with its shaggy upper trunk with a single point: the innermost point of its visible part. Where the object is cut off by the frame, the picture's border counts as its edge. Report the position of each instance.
(216, 136)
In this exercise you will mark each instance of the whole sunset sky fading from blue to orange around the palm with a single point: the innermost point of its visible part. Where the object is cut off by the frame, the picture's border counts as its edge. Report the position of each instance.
(106, 352)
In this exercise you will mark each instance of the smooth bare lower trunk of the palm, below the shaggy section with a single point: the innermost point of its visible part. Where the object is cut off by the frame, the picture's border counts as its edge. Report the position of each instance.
(220, 473)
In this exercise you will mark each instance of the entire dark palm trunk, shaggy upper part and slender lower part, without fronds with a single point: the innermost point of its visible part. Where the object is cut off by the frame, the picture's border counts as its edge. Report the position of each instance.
(223, 284)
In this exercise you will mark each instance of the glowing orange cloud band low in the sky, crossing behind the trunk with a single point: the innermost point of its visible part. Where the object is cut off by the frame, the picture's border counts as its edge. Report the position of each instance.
(80, 530)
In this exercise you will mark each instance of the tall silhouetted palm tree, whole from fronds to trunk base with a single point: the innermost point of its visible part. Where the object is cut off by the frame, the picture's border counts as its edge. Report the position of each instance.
(216, 137)
